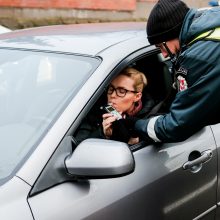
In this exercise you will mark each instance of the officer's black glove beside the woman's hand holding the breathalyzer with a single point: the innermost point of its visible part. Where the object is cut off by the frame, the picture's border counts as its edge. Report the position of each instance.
(123, 129)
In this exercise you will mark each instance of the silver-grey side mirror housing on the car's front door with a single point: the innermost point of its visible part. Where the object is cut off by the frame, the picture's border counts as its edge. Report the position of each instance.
(100, 158)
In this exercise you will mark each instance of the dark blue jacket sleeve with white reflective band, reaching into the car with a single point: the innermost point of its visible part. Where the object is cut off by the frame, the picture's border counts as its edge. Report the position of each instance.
(186, 116)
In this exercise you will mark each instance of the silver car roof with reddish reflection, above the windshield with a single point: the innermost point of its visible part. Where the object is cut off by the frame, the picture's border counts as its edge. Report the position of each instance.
(89, 39)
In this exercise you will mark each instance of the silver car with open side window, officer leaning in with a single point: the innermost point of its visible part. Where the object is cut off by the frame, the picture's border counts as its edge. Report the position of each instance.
(50, 80)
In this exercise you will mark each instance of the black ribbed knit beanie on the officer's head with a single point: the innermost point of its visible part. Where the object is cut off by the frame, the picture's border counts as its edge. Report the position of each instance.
(165, 20)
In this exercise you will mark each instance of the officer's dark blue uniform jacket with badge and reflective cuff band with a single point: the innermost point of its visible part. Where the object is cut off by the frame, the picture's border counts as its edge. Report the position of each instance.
(198, 104)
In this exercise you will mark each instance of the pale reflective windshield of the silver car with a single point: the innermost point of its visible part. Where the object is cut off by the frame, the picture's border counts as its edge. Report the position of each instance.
(34, 88)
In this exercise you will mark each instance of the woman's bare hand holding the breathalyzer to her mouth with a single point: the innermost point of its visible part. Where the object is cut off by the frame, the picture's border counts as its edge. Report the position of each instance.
(108, 119)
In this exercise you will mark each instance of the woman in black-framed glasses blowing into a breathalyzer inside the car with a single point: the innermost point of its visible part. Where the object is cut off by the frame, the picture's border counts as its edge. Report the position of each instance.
(124, 94)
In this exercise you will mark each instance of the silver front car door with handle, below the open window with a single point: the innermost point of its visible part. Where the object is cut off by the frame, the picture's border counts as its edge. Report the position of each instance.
(159, 187)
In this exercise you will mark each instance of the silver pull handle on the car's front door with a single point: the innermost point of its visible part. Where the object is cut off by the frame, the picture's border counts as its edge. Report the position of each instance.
(205, 156)
